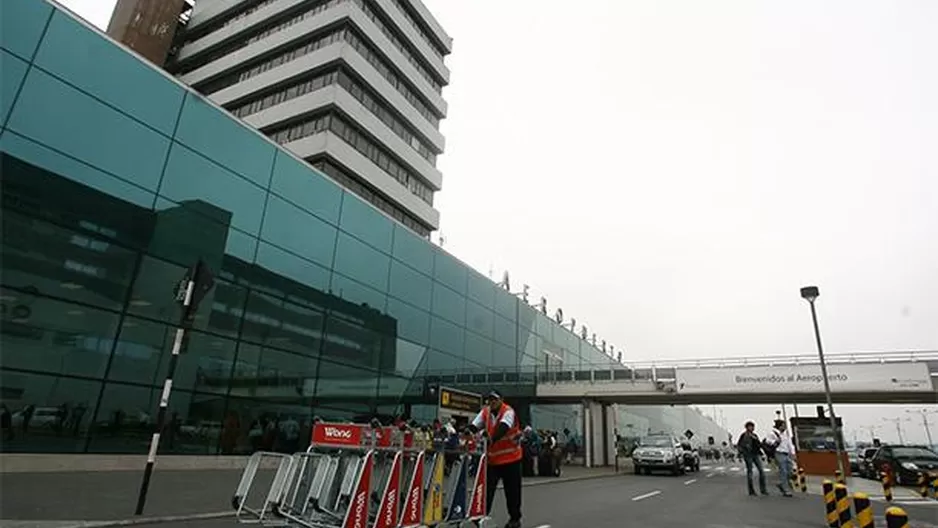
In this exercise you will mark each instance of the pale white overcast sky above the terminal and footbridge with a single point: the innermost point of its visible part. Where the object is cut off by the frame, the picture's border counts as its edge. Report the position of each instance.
(672, 172)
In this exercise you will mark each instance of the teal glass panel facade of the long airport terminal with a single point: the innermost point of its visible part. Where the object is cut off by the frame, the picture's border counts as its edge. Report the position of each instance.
(116, 179)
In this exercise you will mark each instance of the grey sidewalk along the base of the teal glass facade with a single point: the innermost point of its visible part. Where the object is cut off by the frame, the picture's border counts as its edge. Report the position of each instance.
(72, 499)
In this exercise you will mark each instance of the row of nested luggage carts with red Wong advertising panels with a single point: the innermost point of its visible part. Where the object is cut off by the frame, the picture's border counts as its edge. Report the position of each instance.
(354, 476)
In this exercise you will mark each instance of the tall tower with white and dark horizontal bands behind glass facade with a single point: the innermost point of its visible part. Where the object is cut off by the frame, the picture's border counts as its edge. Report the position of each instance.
(352, 86)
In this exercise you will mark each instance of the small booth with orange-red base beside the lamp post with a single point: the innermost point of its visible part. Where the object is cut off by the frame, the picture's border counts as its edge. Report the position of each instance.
(817, 445)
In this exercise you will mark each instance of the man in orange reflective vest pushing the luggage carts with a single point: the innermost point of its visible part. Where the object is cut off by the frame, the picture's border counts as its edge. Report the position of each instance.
(505, 454)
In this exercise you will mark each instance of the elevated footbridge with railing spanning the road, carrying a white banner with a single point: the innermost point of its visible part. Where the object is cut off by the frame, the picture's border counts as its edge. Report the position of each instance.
(873, 378)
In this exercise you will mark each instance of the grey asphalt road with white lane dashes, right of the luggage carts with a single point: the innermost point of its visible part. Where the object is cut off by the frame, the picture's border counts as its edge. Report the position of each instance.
(714, 498)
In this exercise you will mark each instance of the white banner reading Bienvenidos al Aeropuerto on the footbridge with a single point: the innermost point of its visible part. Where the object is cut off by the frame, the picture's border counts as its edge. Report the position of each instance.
(849, 378)
